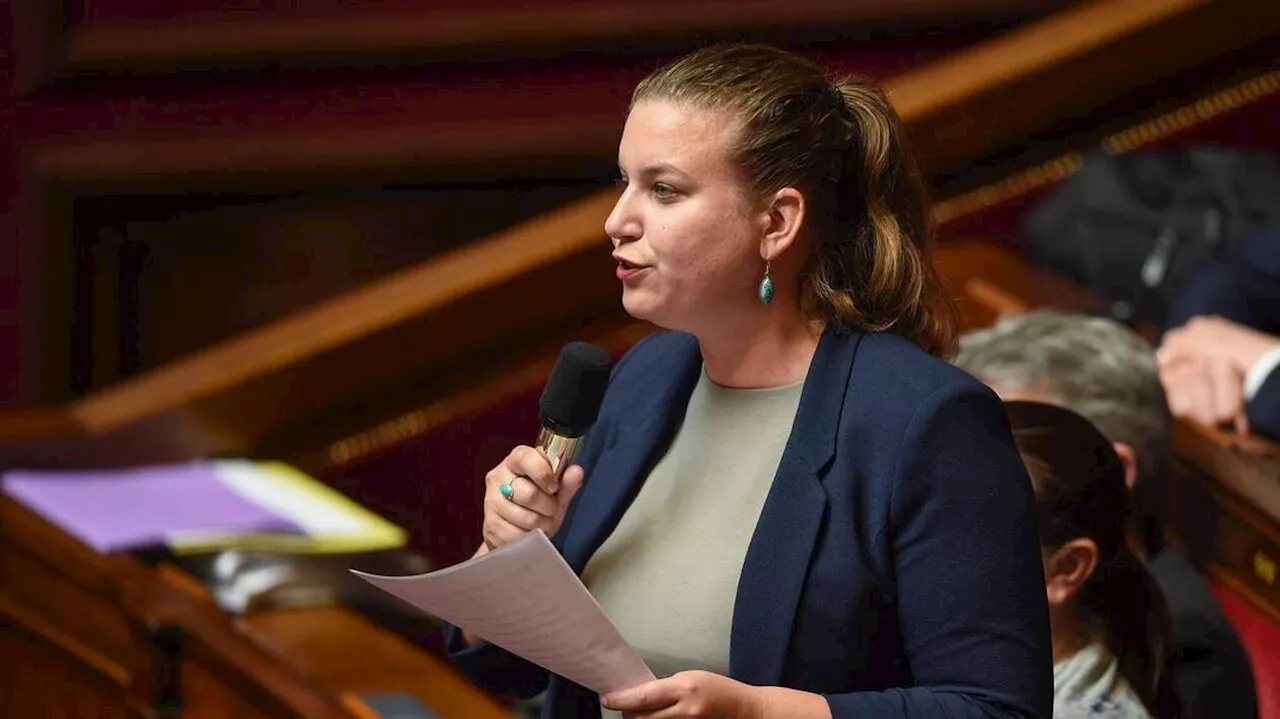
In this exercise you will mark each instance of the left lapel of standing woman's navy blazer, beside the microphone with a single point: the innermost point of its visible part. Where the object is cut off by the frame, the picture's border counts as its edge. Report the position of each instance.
(623, 468)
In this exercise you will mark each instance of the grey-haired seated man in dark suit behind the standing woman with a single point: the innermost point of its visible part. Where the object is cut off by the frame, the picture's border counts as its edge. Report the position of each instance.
(1107, 374)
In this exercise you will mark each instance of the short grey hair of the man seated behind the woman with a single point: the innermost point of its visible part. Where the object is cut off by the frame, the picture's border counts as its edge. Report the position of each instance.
(1094, 367)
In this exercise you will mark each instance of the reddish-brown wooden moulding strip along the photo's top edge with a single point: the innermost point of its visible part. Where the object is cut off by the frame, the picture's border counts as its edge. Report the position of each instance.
(126, 40)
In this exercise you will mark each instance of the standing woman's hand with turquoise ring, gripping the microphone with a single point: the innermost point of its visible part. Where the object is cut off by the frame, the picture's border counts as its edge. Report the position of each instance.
(537, 501)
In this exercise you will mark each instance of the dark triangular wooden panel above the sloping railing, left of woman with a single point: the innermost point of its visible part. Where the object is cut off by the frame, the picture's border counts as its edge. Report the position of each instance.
(168, 277)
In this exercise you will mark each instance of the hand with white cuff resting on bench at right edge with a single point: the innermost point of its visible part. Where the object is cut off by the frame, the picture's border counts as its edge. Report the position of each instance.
(1210, 391)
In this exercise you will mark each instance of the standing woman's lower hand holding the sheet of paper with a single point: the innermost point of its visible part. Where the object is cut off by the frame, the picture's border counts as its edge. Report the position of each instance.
(689, 695)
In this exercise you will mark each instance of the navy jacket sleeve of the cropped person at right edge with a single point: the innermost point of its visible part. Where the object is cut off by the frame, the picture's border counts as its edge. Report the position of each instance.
(1244, 286)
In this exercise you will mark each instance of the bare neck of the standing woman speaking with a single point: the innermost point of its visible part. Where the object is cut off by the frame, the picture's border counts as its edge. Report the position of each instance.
(772, 352)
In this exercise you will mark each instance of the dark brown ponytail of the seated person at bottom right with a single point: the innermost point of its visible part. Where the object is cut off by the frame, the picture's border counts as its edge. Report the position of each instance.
(1124, 601)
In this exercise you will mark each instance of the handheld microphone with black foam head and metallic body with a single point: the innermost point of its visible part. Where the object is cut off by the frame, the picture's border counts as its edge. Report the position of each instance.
(572, 402)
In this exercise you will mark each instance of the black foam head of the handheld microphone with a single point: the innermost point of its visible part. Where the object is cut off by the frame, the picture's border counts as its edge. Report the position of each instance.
(574, 393)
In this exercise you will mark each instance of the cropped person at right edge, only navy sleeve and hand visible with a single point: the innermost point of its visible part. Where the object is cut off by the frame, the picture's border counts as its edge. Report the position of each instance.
(1220, 355)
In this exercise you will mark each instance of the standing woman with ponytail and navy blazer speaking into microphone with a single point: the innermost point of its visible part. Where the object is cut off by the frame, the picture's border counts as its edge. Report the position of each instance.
(792, 506)
